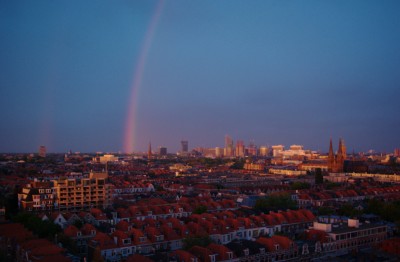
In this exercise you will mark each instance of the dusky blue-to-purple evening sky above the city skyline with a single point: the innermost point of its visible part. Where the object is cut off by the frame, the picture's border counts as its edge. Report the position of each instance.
(93, 76)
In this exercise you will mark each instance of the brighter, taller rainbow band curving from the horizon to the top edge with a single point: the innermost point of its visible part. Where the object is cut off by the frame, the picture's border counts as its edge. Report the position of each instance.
(130, 124)
